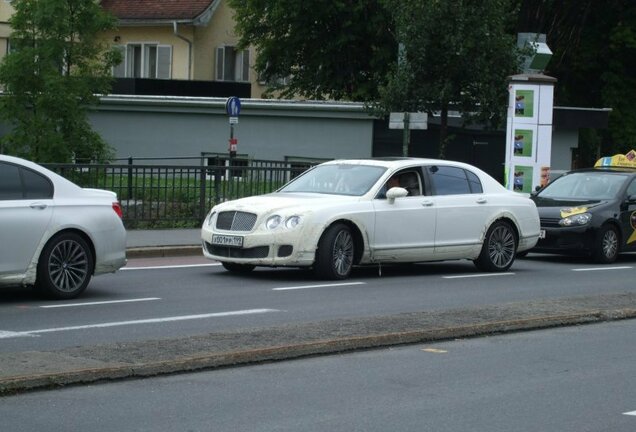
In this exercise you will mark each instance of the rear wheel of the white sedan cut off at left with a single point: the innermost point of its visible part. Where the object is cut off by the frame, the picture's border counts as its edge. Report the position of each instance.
(65, 266)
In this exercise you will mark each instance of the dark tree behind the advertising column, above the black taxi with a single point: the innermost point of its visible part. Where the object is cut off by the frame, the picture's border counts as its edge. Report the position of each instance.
(594, 46)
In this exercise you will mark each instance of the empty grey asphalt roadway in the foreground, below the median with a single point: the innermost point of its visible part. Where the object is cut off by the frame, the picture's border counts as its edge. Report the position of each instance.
(574, 379)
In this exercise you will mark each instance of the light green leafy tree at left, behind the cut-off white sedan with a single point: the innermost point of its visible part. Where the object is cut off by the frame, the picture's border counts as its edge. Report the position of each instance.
(56, 66)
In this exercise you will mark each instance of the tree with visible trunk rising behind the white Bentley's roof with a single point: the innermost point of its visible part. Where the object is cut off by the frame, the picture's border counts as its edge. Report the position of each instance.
(455, 55)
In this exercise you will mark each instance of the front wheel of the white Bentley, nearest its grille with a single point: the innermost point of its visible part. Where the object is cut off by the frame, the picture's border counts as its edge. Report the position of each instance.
(335, 254)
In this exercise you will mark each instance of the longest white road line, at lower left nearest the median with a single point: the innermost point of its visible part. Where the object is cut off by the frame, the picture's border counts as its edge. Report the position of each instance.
(9, 334)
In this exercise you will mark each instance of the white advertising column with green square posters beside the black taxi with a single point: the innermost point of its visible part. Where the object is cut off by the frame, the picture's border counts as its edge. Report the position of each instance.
(529, 132)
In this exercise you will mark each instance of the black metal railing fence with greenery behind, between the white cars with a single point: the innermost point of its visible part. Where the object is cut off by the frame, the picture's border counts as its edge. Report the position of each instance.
(172, 196)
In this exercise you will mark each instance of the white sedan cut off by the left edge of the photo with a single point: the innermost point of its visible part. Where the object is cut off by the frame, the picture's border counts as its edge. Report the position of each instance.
(55, 235)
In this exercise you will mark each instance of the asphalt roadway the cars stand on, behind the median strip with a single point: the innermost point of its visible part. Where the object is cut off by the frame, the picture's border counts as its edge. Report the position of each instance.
(186, 296)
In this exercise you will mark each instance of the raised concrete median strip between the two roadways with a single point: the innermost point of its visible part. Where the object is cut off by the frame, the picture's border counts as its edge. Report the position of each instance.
(215, 350)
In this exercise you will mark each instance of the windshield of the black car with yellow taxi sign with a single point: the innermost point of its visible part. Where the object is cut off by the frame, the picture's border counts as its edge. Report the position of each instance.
(584, 186)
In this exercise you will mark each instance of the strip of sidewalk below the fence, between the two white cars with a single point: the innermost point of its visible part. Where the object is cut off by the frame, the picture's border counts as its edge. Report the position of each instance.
(163, 242)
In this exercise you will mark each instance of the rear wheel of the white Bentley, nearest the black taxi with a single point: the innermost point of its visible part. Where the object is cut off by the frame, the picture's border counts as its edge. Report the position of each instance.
(499, 248)
